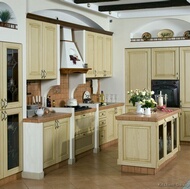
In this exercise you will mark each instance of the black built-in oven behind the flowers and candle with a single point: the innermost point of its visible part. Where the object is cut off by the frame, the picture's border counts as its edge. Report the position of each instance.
(169, 87)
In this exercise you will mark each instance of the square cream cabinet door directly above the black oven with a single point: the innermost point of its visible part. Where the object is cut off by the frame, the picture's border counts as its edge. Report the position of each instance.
(165, 63)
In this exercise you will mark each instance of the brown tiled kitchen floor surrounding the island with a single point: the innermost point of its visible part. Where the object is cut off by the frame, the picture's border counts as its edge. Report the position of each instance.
(100, 171)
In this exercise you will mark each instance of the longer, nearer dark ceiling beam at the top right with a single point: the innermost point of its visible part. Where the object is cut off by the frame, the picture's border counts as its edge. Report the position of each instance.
(151, 5)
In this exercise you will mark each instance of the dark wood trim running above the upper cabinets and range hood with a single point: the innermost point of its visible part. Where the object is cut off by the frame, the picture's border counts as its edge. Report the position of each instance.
(66, 24)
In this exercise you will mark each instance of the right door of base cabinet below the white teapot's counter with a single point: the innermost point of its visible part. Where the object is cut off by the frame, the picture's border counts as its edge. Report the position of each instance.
(62, 142)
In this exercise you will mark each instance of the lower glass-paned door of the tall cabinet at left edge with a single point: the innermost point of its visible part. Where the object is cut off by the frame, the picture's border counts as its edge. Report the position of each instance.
(10, 142)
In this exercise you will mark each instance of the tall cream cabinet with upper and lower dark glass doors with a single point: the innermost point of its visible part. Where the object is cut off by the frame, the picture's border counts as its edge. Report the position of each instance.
(10, 109)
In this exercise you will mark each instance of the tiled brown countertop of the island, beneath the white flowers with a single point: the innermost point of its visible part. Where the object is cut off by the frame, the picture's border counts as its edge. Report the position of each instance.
(154, 117)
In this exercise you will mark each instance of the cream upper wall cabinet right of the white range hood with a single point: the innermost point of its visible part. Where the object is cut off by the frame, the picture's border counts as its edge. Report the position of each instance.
(96, 50)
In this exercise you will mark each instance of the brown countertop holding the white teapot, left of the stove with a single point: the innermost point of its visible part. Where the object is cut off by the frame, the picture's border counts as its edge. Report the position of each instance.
(47, 117)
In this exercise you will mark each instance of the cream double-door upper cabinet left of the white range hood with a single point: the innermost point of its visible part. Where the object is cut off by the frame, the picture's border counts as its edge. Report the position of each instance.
(41, 50)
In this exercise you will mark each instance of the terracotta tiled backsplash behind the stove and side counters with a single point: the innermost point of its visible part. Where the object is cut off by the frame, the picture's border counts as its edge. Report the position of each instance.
(60, 93)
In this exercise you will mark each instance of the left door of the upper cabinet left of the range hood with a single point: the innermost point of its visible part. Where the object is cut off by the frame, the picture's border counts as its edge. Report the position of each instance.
(34, 42)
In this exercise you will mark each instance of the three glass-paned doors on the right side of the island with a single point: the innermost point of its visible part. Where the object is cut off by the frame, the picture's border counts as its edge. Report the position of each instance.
(168, 138)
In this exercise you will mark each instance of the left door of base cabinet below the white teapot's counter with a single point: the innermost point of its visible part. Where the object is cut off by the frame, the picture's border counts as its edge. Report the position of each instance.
(49, 142)
